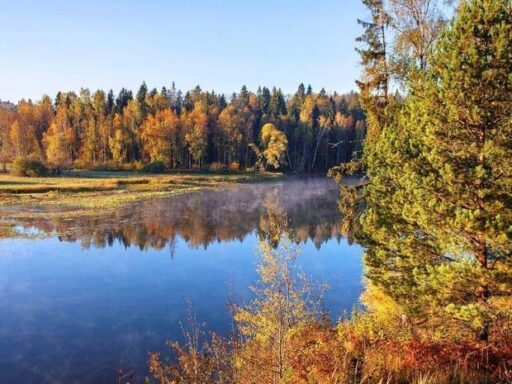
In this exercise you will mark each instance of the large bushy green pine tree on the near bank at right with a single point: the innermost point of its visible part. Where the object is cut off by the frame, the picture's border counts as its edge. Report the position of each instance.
(439, 216)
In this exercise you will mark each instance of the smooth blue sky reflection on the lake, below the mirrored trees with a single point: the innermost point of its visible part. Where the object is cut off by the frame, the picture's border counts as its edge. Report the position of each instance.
(66, 311)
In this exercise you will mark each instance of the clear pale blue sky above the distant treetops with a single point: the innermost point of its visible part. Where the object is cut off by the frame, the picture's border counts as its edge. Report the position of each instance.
(53, 45)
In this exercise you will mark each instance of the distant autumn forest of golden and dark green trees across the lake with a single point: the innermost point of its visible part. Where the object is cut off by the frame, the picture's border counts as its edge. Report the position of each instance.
(191, 130)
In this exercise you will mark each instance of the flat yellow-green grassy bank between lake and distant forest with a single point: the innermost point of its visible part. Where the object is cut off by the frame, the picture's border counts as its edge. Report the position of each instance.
(80, 193)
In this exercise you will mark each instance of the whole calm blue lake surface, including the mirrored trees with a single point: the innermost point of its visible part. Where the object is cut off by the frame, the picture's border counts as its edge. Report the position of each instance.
(98, 294)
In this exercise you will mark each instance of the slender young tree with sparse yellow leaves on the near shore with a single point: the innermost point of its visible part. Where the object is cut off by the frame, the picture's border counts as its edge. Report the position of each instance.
(285, 304)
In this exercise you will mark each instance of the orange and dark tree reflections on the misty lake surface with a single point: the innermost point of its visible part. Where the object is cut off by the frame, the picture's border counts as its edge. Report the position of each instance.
(308, 208)
